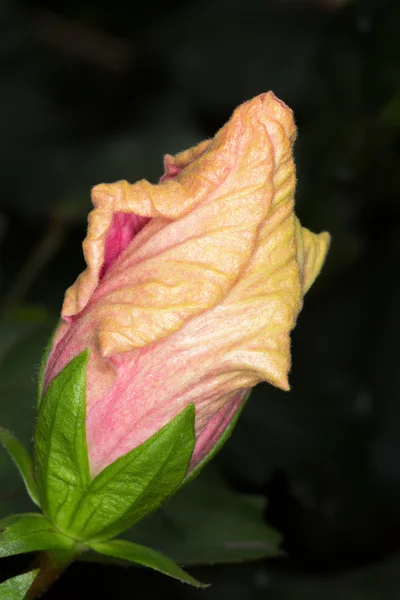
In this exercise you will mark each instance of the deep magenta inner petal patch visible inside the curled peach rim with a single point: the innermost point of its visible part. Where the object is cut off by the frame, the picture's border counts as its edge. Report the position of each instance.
(124, 228)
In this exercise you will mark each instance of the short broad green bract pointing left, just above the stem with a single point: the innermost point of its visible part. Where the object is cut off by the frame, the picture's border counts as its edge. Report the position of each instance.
(30, 532)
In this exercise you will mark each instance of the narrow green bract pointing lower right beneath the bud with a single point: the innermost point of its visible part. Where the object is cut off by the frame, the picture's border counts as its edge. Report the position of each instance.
(147, 557)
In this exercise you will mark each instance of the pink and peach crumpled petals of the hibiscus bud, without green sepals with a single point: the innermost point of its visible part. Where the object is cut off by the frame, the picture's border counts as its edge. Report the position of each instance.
(192, 286)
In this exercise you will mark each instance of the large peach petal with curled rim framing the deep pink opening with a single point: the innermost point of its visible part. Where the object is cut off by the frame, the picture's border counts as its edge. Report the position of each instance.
(210, 216)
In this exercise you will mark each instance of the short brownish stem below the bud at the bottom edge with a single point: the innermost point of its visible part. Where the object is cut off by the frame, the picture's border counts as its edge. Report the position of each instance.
(51, 565)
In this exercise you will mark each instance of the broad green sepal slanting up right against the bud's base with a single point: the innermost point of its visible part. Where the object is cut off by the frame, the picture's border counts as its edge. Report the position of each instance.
(136, 483)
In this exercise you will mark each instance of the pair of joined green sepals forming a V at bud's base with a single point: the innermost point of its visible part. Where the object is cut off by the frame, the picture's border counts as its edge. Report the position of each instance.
(125, 491)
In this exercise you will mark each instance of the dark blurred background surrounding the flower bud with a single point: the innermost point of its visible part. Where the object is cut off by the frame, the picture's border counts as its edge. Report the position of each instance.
(96, 91)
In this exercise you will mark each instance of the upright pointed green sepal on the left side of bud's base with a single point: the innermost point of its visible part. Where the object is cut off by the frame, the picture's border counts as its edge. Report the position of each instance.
(61, 460)
